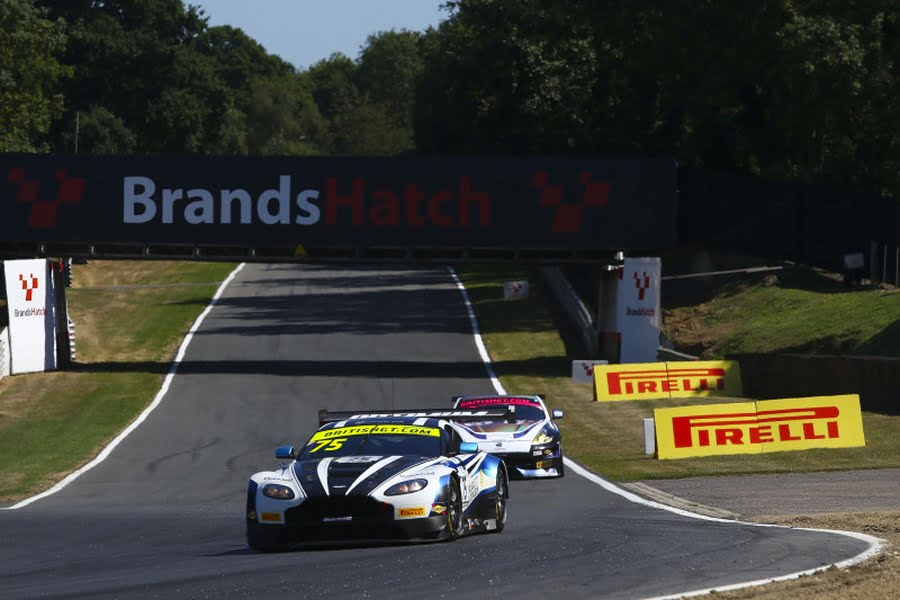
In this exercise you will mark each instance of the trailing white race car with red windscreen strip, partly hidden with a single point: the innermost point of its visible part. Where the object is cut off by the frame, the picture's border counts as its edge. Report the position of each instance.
(525, 436)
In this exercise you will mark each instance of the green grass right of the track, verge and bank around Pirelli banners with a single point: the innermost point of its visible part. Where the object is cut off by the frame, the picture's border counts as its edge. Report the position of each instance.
(532, 347)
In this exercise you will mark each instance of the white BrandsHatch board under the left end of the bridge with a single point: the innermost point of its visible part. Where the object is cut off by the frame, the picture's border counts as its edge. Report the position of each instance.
(31, 301)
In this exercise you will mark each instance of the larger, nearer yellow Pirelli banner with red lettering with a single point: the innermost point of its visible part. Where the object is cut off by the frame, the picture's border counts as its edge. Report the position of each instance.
(757, 427)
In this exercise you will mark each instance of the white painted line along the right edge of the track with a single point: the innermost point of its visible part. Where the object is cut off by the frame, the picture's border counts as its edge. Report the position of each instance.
(876, 545)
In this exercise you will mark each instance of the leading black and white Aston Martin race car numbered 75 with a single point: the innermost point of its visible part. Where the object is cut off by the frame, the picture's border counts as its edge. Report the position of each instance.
(385, 476)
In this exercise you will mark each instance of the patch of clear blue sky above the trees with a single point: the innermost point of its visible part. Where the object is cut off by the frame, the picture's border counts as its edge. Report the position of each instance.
(304, 32)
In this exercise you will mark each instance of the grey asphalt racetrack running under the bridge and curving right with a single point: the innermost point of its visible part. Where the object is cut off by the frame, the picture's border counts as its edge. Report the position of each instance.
(162, 516)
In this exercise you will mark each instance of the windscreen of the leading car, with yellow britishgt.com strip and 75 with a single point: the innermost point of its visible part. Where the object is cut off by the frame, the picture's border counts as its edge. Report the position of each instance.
(374, 440)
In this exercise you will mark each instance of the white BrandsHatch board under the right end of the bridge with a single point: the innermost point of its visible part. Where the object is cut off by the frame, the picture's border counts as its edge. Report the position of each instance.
(637, 309)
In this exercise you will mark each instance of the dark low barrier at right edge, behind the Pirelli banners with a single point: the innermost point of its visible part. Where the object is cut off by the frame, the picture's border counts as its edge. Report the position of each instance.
(875, 379)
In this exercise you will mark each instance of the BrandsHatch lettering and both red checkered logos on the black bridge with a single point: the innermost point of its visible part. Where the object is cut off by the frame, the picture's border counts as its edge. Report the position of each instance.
(460, 202)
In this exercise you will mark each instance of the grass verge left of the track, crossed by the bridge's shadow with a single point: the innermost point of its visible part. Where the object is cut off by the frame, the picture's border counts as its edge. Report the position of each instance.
(130, 318)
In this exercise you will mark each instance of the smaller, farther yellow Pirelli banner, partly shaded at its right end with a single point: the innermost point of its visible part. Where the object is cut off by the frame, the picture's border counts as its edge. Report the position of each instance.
(654, 381)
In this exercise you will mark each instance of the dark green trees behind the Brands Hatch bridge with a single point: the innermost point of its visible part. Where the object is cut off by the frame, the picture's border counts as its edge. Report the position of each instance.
(802, 90)
